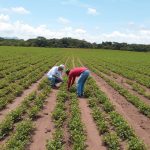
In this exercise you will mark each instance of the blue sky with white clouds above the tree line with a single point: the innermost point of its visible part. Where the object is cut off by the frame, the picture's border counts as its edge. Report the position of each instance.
(90, 20)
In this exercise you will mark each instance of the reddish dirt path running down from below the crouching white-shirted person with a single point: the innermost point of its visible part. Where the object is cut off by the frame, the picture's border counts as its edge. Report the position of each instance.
(44, 125)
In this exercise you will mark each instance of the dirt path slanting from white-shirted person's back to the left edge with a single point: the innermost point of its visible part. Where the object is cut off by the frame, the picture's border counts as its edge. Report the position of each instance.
(18, 100)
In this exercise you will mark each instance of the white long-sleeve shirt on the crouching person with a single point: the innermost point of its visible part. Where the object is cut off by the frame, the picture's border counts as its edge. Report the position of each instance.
(54, 71)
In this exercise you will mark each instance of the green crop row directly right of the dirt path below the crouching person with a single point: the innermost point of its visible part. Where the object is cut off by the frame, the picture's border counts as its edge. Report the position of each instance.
(59, 116)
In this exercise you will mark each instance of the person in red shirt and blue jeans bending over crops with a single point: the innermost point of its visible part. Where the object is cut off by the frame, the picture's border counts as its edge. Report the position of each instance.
(80, 72)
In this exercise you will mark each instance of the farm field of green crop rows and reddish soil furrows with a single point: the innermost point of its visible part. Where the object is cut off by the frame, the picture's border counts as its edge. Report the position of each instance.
(114, 115)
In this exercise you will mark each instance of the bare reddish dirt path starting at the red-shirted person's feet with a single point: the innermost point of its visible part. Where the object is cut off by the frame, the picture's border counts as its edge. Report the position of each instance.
(94, 140)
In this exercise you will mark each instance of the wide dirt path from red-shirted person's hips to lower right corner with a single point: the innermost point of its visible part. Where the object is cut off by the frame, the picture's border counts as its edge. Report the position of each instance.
(139, 122)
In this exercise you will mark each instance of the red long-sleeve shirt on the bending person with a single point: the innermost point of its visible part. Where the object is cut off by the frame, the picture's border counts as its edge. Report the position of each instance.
(75, 73)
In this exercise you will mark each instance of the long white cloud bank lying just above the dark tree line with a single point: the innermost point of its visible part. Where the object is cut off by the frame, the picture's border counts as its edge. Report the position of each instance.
(26, 31)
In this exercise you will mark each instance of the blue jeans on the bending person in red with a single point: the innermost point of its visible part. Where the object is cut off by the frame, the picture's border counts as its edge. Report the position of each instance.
(82, 79)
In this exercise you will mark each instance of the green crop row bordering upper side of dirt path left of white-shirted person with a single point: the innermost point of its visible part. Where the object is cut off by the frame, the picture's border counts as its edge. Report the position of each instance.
(13, 90)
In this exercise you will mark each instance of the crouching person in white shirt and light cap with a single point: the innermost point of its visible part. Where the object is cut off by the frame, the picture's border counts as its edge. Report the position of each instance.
(55, 75)
